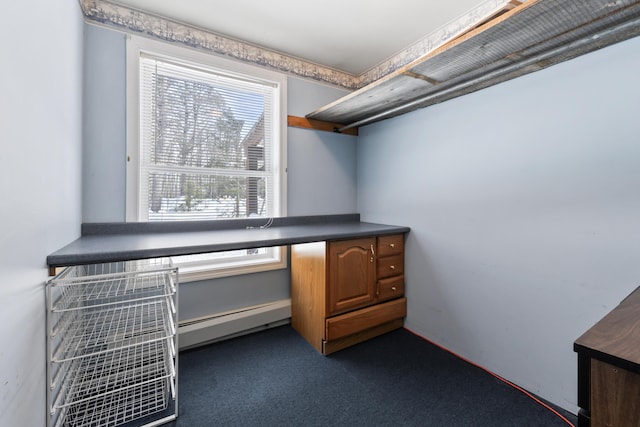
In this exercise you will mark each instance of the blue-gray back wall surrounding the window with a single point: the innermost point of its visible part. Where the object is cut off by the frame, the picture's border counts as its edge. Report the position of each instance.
(321, 175)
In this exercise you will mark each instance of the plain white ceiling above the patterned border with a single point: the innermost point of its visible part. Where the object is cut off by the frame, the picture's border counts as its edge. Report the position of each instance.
(348, 35)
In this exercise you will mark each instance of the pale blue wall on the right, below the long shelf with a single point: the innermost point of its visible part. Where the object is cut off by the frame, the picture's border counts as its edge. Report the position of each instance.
(524, 204)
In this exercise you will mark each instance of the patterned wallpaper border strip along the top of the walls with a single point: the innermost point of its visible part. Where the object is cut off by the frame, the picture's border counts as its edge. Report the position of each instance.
(138, 22)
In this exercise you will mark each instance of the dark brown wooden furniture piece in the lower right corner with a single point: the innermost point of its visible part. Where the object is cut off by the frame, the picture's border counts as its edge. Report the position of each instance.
(609, 368)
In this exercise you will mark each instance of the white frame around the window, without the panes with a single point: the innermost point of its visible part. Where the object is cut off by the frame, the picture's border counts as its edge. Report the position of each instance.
(136, 46)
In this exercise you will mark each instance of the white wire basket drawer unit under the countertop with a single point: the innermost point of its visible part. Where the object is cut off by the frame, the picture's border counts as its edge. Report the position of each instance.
(112, 344)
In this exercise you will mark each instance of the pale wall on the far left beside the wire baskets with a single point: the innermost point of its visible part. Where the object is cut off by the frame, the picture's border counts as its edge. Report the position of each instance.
(40, 177)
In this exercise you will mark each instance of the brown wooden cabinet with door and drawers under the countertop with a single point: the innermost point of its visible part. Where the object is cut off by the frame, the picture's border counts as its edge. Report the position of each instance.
(347, 291)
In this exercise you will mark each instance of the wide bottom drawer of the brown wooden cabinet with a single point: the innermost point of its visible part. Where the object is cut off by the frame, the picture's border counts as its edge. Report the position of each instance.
(360, 320)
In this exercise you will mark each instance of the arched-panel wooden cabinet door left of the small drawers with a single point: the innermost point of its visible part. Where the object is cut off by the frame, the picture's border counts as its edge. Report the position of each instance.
(351, 274)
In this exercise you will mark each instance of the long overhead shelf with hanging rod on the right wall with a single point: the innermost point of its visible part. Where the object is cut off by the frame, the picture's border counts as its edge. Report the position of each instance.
(534, 35)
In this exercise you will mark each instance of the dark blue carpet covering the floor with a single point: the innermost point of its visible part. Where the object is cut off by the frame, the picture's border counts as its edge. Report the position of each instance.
(275, 378)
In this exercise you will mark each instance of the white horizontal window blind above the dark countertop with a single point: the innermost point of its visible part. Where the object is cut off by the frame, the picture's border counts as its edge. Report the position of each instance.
(207, 143)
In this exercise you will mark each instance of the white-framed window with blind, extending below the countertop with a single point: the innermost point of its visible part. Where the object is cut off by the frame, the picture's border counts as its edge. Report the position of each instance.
(204, 142)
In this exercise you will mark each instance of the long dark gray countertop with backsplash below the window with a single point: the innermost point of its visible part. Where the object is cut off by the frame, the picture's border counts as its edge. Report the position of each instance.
(108, 242)
